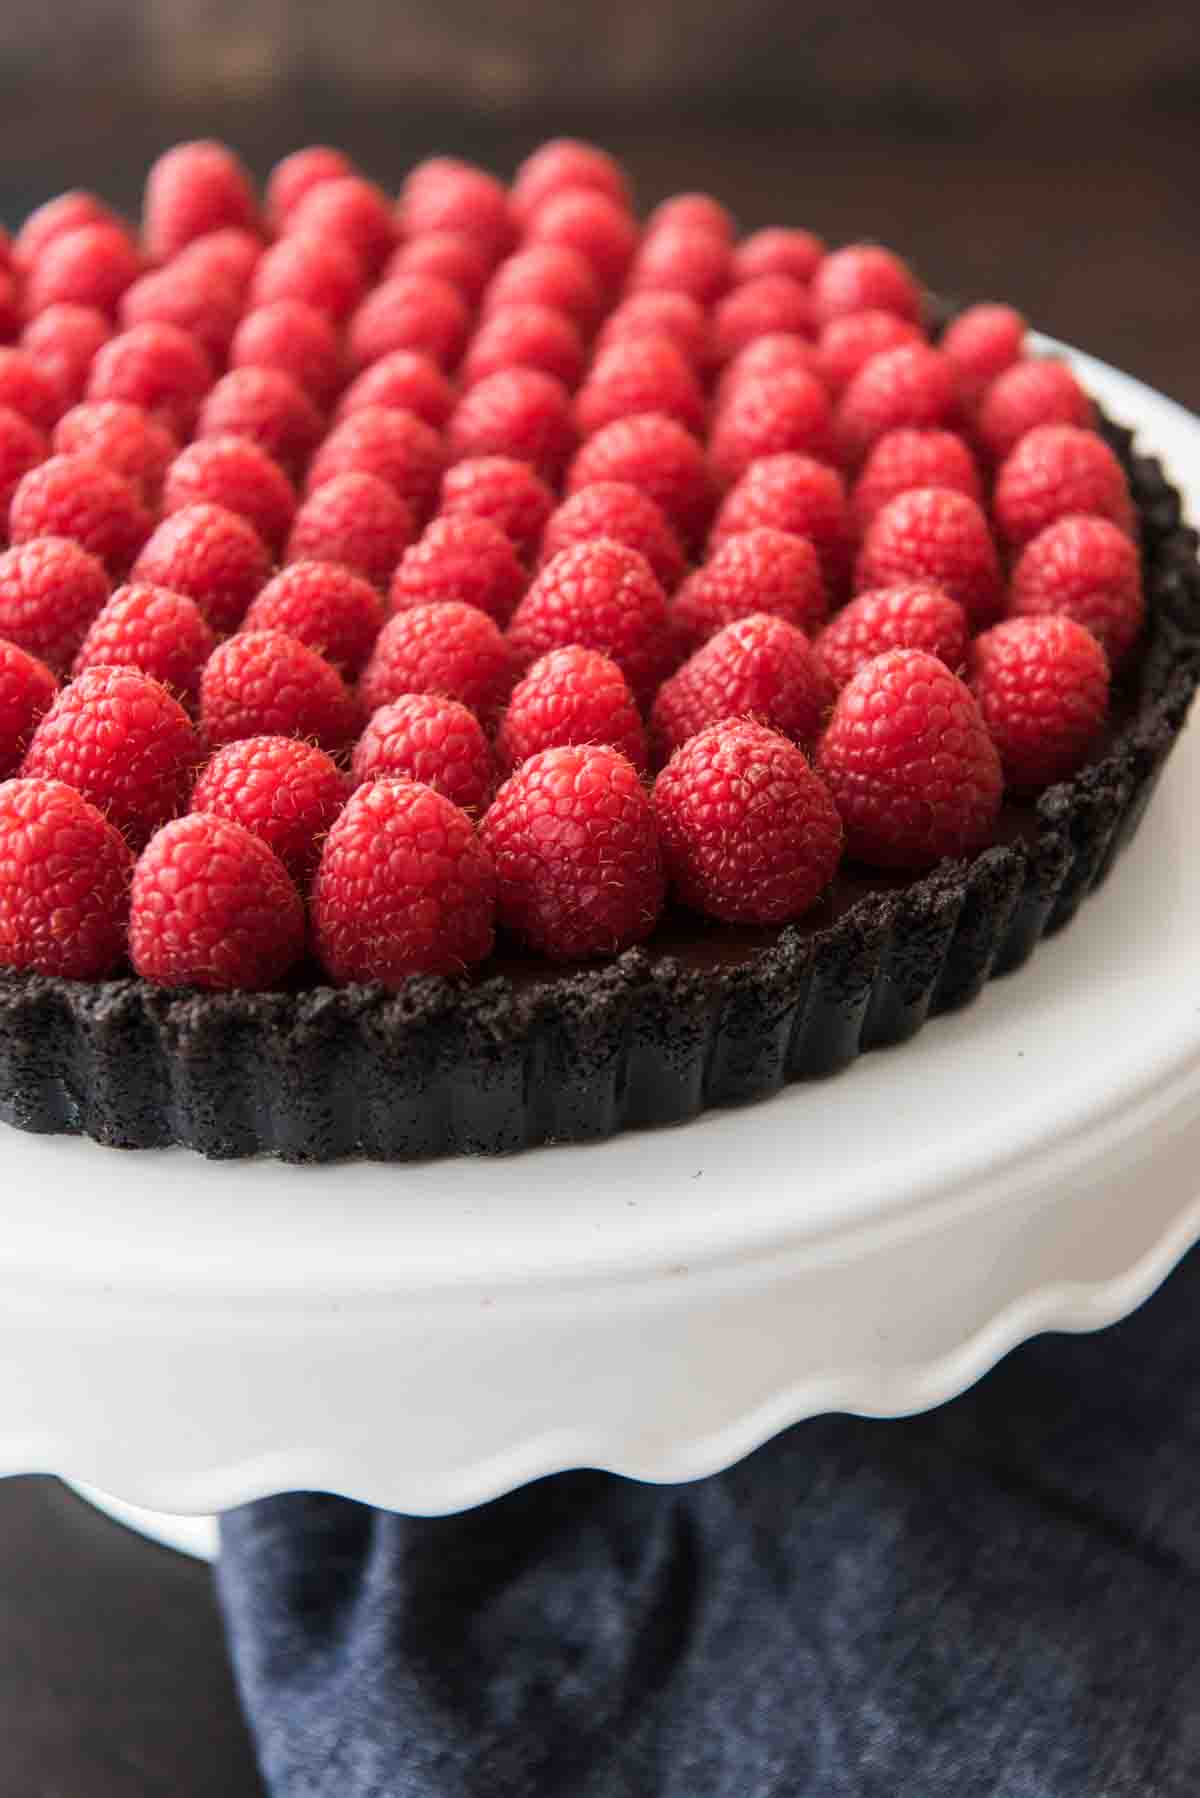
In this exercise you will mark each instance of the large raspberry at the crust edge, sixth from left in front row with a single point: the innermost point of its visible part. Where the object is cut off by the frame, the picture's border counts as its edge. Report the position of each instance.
(911, 765)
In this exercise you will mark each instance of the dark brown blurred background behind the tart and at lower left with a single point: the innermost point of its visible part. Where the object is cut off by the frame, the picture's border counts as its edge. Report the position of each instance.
(1044, 154)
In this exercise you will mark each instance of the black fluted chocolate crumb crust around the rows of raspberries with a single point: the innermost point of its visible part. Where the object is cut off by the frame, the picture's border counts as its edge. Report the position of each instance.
(701, 1017)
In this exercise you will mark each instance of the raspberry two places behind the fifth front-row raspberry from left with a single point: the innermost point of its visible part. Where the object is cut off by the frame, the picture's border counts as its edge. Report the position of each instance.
(757, 571)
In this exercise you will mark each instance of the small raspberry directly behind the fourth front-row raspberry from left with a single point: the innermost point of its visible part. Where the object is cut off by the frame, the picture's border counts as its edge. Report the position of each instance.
(571, 697)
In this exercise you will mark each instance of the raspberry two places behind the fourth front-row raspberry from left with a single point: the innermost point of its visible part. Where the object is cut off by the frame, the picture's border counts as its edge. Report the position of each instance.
(600, 596)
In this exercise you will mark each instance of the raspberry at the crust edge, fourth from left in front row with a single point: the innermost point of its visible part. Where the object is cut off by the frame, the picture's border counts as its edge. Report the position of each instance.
(577, 850)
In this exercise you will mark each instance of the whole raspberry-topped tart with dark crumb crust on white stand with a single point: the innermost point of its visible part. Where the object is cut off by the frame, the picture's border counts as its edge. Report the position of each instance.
(479, 672)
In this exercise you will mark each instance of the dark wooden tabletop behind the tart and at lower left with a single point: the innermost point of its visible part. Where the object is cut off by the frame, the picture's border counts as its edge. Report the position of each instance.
(112, 1671)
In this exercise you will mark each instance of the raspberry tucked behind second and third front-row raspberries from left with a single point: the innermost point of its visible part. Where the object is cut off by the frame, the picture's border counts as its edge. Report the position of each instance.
(282, 790)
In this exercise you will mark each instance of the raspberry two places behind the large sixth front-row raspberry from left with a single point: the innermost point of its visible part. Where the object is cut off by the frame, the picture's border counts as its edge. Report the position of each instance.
(935, 535)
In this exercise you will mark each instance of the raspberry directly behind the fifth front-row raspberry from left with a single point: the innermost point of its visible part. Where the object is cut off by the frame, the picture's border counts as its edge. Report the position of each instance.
(757, 668)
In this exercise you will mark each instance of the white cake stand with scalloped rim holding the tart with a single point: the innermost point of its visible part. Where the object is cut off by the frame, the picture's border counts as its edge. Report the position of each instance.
(190, 1335)
